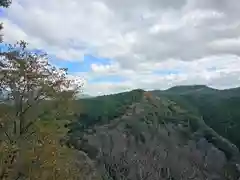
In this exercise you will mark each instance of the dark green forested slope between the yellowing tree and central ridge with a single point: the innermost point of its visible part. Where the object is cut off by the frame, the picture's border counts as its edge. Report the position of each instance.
(102, 109)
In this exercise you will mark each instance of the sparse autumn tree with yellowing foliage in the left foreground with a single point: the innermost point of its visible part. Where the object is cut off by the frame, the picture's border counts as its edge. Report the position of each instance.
(36, 101)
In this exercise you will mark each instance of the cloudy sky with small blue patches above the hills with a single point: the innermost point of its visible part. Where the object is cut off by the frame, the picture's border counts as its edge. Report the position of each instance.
(119, 45)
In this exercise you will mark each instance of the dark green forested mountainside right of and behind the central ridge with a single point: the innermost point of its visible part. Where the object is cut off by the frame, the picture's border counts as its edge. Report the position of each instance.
(219, 108)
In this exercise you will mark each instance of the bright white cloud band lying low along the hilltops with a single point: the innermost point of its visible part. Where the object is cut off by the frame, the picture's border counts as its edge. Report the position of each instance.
(216, 71)
